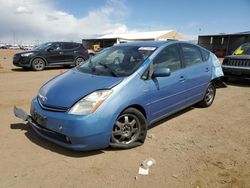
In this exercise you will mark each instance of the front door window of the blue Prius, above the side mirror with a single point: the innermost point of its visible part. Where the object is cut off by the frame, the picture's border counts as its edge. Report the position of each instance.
(169, 58)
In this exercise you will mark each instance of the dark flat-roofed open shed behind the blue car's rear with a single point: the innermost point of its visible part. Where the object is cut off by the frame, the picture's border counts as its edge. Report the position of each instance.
(223, 44)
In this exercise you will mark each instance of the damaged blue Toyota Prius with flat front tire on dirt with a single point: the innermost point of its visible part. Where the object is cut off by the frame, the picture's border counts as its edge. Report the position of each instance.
(111, 99)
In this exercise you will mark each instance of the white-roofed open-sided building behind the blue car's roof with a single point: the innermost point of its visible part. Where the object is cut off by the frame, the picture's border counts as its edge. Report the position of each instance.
(111, 39)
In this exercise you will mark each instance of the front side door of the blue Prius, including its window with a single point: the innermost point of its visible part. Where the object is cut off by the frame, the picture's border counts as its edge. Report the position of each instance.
(167, 94)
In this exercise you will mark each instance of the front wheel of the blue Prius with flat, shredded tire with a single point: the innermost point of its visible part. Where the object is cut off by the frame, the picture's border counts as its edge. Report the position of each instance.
(130, 130)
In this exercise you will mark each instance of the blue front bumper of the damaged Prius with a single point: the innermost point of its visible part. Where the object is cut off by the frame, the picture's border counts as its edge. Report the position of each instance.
(70, 131)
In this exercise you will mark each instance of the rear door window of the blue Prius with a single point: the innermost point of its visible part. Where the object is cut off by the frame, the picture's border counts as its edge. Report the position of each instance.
(191, 55)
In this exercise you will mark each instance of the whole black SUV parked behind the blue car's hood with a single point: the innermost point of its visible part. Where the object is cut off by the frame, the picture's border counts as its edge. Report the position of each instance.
(52, 54)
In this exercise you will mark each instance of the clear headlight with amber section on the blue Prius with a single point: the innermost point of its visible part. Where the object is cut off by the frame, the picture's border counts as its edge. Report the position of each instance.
(90, 103)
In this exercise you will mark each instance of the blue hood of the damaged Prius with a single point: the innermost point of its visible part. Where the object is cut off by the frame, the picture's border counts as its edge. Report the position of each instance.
(65, 90)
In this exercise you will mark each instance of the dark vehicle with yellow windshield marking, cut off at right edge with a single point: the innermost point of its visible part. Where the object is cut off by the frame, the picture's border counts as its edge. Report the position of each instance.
(238, 64)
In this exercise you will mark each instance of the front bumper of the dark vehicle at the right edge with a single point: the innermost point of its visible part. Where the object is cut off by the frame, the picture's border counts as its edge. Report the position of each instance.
(236, 71)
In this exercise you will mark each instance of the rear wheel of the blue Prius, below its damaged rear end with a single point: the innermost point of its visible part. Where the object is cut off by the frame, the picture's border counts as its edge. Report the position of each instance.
(209, 96)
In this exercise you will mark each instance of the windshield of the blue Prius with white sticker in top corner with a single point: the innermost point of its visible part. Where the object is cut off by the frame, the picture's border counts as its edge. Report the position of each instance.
(117, 61)
